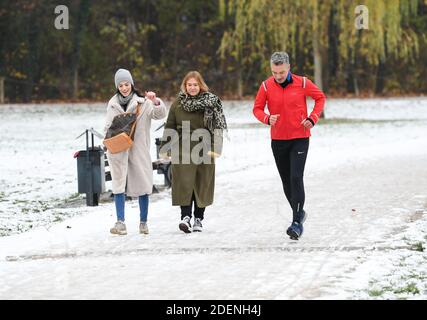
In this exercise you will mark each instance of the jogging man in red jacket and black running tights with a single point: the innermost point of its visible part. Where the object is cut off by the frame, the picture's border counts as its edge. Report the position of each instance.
(285, 96)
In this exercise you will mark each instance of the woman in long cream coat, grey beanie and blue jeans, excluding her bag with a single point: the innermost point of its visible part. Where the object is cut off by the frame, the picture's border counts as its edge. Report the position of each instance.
(132, 170)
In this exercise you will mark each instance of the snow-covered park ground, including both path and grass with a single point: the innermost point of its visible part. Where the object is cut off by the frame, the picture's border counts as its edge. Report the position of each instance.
(365, 236)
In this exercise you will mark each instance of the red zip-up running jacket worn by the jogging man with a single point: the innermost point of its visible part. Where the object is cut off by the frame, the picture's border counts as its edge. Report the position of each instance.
(290, 103)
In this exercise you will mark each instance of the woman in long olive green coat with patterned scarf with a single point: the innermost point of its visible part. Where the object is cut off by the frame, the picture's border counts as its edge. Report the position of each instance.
(196, 114)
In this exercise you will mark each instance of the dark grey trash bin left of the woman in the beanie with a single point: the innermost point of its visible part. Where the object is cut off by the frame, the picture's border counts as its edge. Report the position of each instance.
(91, 171)
